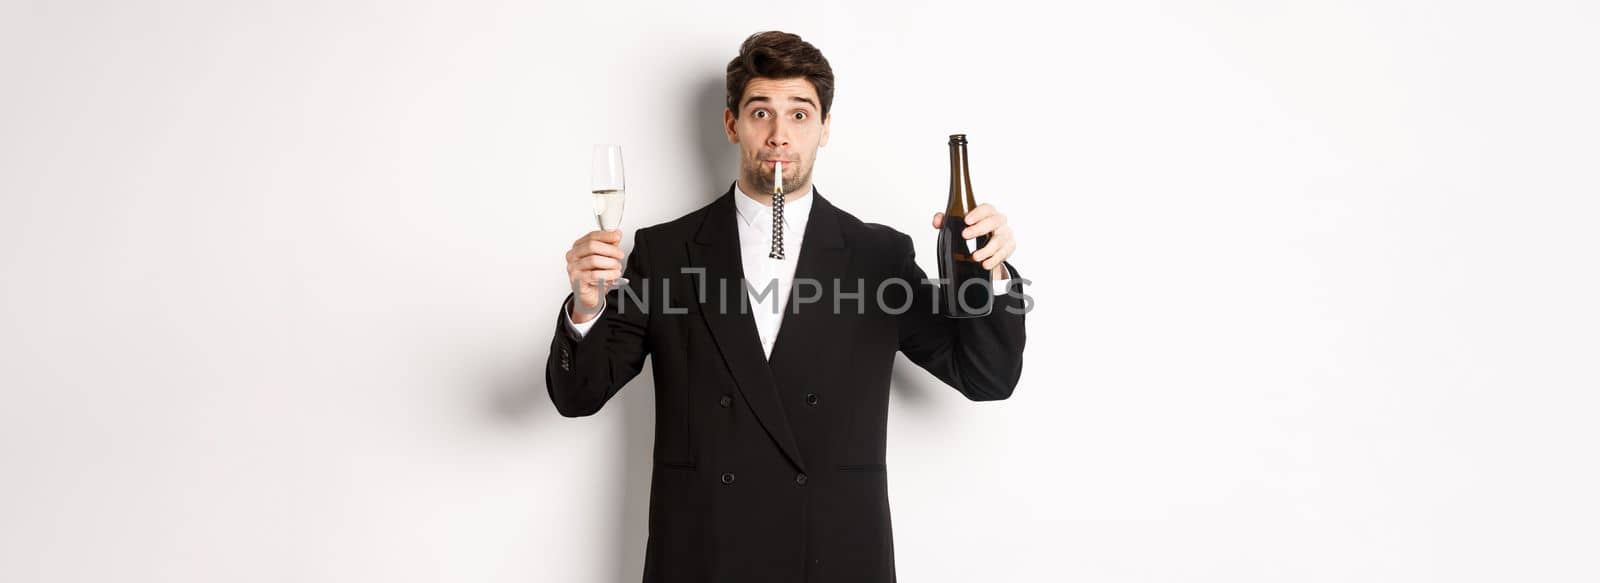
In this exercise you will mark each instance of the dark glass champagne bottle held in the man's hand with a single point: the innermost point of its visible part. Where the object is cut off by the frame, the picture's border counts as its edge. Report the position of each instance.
(964, 283)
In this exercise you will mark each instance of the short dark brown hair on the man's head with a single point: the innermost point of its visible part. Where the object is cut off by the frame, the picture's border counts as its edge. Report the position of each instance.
(780, 55)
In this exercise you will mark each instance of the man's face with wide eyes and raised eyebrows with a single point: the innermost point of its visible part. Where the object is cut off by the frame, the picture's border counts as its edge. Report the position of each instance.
(780, 119)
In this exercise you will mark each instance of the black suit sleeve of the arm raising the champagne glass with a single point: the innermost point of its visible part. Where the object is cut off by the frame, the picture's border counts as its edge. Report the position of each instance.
(585, 371)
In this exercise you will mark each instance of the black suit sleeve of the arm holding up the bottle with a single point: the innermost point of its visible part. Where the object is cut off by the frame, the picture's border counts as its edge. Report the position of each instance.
(980, 356)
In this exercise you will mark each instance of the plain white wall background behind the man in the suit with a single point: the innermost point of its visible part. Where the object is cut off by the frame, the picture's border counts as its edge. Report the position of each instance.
(1314, 283)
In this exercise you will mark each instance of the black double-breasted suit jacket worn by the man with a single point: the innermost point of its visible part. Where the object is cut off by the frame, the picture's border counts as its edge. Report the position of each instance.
(774, 472)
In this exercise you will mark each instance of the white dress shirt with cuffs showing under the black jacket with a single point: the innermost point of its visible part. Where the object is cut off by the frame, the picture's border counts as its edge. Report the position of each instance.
(761, 271)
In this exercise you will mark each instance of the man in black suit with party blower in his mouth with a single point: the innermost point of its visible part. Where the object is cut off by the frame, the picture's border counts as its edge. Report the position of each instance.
(774, 324)
